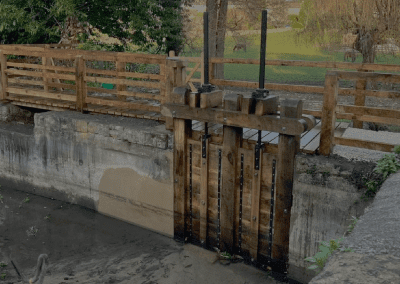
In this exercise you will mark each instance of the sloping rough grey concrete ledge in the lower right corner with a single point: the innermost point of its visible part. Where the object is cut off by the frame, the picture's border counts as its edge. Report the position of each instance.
(375, 241)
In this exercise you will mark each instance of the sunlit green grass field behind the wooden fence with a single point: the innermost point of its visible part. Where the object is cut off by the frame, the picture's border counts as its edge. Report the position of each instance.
(282, 46)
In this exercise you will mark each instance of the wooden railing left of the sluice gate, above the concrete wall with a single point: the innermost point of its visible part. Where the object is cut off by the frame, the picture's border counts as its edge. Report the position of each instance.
(80, 75)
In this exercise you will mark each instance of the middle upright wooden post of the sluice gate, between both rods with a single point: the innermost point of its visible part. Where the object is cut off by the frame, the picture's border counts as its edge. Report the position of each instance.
(231, 143)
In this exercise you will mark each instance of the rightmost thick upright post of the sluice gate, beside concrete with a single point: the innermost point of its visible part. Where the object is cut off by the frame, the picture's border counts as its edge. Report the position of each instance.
(284, 185)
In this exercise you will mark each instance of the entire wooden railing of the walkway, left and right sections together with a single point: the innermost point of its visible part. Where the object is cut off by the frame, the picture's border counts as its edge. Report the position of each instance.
(174, 71)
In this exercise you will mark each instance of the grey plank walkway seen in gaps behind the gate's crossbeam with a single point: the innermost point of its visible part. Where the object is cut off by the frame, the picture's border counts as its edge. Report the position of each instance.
(309, 142)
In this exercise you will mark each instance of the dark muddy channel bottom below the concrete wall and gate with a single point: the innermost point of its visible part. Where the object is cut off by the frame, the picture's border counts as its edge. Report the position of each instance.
(86, 247)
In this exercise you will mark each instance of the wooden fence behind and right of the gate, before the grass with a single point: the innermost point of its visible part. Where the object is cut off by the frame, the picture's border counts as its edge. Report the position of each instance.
(329, 109)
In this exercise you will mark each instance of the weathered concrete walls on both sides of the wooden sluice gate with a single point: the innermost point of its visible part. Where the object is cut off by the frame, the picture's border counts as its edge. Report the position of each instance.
(122, 167)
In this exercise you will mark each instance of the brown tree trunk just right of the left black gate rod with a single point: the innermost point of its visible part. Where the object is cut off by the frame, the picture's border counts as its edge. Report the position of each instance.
(217, 11)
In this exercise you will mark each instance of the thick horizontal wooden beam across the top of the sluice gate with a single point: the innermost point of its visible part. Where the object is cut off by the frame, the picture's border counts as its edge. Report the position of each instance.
(233, 118)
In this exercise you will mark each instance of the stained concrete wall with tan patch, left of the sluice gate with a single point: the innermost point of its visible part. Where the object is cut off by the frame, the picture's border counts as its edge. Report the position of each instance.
(117, 166)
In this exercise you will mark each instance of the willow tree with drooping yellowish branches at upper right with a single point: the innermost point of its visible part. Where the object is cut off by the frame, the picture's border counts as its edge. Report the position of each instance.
(373, 21)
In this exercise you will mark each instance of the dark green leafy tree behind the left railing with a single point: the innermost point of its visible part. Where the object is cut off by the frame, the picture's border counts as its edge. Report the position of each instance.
(141, 22)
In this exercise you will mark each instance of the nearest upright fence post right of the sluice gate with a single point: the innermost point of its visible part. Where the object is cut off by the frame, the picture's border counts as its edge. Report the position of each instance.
(329, 113)
